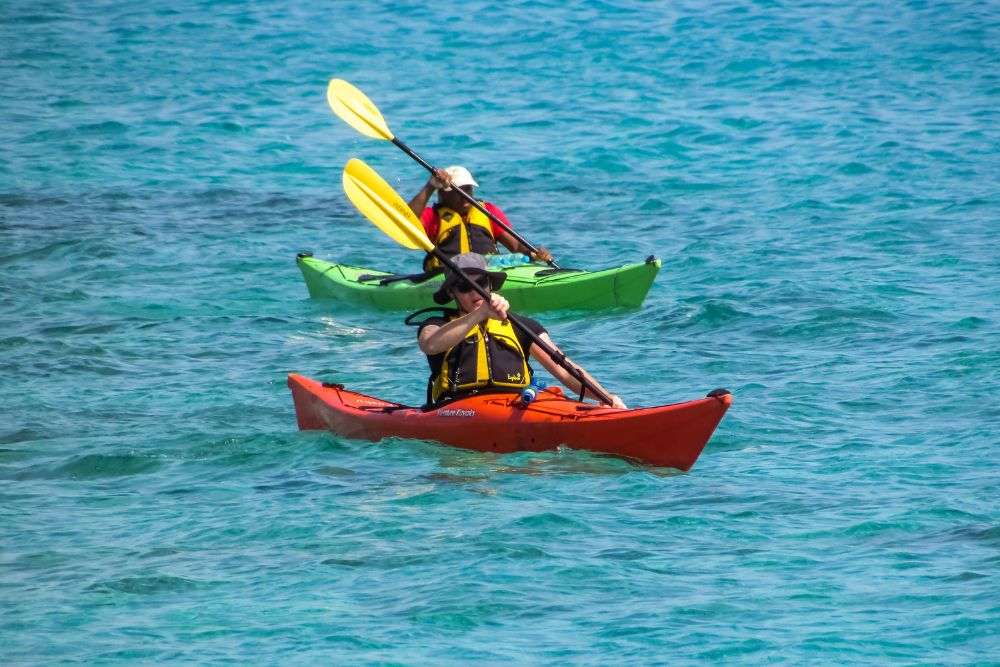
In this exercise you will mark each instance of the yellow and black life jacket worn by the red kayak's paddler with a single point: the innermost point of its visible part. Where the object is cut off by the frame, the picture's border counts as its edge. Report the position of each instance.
(489, 356)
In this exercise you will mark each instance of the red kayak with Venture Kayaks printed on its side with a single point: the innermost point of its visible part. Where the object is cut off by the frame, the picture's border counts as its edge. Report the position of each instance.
(668, 435)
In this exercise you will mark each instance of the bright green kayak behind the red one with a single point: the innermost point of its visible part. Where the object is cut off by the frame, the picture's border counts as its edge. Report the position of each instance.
(529, 287)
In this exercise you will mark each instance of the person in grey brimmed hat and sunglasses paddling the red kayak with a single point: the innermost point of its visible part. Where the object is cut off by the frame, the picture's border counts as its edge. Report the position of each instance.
(474, 348)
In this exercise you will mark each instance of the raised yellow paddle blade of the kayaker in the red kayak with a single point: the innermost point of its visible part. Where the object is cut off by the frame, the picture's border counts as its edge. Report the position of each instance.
(382, 205)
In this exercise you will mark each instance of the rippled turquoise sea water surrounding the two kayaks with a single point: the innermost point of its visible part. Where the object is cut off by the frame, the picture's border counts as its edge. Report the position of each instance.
(820, 180)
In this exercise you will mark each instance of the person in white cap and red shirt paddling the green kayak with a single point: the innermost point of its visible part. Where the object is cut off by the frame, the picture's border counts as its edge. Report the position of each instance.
(456, 227)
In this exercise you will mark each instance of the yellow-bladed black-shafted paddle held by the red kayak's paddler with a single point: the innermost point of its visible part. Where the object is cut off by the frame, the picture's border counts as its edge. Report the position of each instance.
(386, 209)
